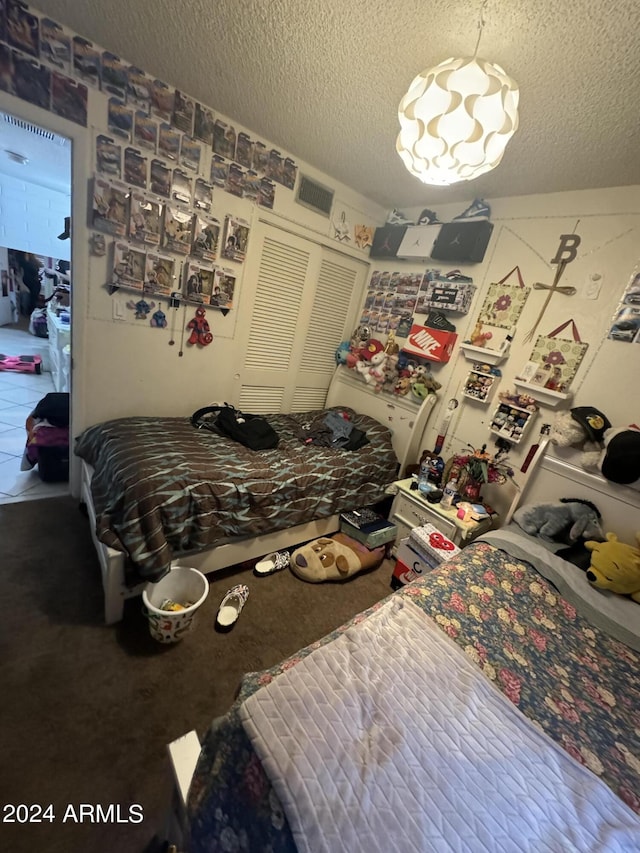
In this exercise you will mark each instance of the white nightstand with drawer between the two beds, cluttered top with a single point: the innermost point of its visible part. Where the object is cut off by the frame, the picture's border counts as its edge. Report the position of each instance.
(410, 509)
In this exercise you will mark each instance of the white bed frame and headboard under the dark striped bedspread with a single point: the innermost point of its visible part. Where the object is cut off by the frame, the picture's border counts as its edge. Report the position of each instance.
(407, 421)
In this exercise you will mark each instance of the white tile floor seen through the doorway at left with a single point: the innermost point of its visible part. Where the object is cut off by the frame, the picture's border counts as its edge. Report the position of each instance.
(19, 393)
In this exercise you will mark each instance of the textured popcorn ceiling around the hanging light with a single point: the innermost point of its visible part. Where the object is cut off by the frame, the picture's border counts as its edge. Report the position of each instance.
(322, 79)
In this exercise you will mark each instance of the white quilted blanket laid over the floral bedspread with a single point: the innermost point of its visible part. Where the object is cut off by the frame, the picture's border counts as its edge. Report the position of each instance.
(389, 739)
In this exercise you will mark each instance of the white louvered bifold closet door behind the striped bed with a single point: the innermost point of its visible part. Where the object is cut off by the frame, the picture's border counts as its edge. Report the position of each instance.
(304, 301)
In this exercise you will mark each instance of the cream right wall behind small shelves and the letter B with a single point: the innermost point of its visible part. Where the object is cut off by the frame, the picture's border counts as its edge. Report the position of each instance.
(526, 233)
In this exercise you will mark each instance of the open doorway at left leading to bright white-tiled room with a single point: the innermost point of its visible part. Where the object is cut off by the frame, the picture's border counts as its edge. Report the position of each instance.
(35, 306)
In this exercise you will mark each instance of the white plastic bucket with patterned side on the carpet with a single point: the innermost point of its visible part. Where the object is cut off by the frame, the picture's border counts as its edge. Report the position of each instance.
(181, 585)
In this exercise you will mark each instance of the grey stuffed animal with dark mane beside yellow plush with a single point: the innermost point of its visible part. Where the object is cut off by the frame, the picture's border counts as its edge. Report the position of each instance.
(566, 520)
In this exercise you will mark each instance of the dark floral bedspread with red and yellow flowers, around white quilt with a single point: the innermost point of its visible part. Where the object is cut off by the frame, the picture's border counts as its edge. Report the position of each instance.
(572, 680)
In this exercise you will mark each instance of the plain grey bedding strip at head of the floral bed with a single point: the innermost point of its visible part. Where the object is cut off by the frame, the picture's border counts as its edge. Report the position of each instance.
(615, 614)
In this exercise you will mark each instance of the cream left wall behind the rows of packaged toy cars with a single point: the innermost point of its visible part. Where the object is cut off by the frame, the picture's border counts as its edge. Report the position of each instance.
(121, 365)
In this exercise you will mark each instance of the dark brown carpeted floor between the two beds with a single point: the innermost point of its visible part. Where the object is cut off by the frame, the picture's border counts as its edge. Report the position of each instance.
(87, 710)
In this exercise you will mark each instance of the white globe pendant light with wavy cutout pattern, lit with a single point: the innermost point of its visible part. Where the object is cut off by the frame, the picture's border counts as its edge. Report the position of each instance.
(456, 119)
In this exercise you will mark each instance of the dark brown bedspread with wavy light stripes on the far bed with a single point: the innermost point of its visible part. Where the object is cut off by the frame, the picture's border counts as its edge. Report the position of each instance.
(162, 487)
